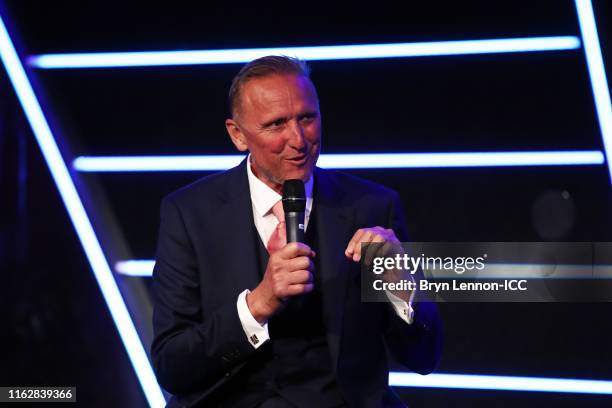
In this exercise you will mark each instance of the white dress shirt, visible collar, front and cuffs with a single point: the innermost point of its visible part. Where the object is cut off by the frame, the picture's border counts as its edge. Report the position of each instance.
(263, 199)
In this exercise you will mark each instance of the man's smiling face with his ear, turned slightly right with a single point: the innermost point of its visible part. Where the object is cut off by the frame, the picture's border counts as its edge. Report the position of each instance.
(278, 121)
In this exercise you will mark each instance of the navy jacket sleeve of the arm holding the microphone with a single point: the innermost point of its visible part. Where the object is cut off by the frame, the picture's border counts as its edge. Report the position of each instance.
(193, 349)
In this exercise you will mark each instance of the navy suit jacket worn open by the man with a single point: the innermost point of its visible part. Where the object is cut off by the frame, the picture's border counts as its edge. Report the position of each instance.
(206, 256)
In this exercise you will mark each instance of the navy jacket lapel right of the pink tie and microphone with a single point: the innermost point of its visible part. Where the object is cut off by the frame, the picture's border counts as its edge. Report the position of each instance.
(334, 226)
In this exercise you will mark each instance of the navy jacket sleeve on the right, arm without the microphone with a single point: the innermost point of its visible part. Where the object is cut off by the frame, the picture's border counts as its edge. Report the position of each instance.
(418, 346)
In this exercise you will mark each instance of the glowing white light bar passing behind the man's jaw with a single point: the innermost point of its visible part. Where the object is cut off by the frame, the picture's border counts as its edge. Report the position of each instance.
(345, 161)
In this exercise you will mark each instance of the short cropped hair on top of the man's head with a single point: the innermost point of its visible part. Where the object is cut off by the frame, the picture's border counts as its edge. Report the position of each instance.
(262, 67)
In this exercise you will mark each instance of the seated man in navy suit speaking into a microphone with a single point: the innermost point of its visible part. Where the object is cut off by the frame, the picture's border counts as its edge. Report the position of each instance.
(244, 319)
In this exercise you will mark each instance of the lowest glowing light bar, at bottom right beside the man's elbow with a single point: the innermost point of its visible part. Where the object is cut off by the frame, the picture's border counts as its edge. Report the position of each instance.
(502, 383)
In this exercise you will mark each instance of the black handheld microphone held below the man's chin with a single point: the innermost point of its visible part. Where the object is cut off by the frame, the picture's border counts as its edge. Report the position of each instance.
(294, 205)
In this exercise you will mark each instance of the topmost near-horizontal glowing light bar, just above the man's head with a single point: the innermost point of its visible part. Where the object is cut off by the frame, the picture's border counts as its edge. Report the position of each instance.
(333, 52)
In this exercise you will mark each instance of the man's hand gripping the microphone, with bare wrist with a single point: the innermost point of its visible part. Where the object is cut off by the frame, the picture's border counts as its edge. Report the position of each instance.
(289, 273)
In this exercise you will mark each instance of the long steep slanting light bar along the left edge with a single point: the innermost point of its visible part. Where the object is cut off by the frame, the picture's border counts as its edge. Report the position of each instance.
(80, 221)
